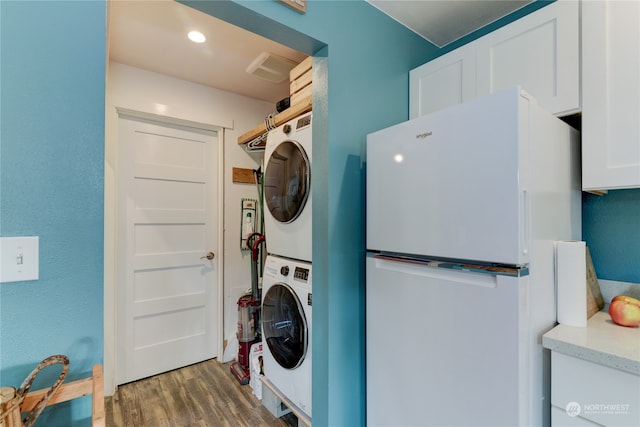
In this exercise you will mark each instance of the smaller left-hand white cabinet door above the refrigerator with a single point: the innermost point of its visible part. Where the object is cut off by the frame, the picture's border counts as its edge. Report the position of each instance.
(443, 82)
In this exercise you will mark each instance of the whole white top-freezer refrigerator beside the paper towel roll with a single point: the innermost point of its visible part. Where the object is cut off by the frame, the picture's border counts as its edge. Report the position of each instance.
(463, 208)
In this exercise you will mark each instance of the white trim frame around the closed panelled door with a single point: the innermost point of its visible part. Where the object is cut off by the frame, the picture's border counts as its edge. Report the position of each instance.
(110, 300)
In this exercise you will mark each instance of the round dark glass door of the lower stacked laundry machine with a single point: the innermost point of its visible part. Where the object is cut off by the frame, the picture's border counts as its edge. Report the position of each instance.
(284, 326)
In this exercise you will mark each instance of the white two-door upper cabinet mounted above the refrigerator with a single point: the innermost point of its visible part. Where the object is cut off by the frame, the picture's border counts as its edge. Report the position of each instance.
(540, 52)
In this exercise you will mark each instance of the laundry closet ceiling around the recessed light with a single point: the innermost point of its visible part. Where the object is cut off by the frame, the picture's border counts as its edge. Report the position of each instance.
(152, 35)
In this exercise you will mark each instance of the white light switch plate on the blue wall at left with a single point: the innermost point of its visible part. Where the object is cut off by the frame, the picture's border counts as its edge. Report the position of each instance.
(19, 259)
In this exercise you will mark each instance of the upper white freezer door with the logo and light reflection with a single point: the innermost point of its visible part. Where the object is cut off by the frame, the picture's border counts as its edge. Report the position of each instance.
(453, 183)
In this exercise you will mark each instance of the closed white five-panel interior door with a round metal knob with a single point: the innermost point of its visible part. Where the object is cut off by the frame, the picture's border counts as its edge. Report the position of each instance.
(167, 291)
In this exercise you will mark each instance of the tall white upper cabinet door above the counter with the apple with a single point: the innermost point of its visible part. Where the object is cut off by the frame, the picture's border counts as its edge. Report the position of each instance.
(611, 95)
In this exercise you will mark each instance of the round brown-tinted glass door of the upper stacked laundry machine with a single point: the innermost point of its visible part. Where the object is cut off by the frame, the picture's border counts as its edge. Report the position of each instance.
(287, 180)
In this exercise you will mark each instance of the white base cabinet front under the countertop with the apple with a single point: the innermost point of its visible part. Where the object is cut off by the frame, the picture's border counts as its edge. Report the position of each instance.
(587, 394)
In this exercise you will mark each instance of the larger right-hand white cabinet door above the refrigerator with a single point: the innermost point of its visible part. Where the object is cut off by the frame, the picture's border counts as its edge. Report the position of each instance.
(540, 52)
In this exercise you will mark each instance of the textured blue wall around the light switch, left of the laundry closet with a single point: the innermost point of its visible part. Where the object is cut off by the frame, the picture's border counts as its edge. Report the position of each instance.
(51, 185)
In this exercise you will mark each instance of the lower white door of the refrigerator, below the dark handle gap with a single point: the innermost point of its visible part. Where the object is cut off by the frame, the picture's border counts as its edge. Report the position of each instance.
(445, 348)
